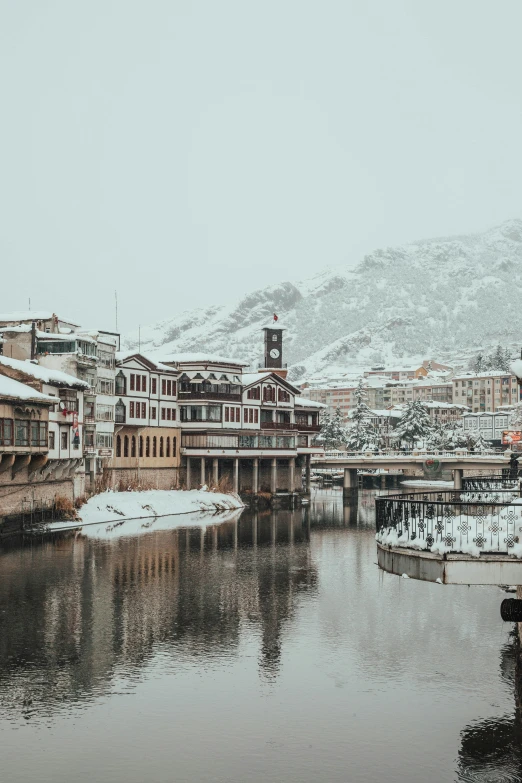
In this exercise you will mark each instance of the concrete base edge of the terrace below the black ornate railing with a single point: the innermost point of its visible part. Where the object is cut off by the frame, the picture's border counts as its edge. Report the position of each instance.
(455, 569)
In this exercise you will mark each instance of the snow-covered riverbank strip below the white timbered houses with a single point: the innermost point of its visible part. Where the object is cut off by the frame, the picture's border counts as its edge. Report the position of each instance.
(156, 509)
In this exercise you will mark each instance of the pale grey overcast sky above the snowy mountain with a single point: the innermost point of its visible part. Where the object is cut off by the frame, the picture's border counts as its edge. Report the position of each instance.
(185, 152)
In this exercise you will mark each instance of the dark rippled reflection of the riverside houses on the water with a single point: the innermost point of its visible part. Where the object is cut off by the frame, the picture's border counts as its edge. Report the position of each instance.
(74, 611)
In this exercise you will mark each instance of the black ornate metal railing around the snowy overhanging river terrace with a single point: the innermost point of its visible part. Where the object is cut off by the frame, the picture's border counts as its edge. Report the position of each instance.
(465, 521)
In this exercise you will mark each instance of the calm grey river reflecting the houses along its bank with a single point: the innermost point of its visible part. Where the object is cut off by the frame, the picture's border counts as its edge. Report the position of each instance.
(266, 649)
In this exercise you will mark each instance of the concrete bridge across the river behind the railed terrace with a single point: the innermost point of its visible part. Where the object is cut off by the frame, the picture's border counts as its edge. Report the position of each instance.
(458, 461)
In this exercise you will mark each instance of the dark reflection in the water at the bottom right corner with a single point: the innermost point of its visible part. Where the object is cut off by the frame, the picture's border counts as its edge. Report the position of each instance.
(491, 749)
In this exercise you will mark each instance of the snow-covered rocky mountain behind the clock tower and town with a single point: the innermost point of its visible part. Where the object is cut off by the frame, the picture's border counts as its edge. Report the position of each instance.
(436, 298)
